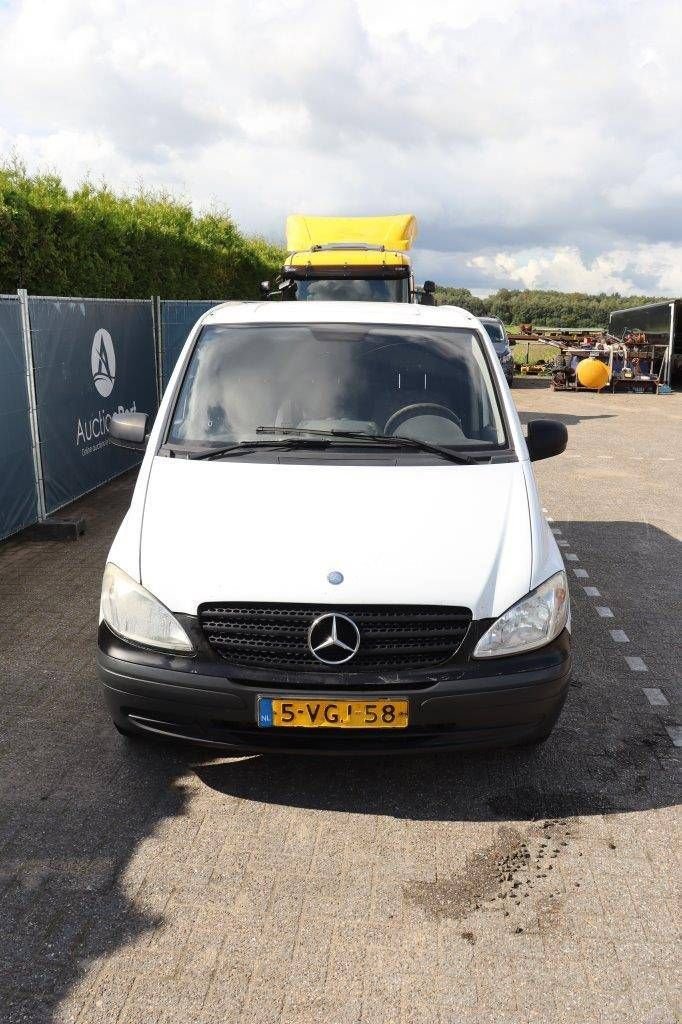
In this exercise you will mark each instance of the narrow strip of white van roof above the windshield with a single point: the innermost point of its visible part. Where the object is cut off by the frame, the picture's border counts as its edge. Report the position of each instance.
(340, 313)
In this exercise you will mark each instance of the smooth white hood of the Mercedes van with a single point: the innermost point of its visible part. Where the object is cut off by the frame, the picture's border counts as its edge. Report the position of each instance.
(406, 535)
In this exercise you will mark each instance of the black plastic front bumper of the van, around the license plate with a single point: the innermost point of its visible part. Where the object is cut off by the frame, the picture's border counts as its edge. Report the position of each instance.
(494, 703)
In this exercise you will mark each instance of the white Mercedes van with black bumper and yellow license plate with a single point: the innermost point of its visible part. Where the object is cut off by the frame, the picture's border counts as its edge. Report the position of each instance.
(335, 543)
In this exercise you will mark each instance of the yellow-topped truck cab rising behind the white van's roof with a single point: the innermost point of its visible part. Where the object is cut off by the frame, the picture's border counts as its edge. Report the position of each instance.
(361, 260)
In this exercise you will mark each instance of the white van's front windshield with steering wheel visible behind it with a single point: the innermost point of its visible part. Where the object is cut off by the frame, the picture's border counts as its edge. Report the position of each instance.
(432, 385)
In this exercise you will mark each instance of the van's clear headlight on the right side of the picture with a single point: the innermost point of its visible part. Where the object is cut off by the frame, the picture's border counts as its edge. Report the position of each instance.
(533, 622)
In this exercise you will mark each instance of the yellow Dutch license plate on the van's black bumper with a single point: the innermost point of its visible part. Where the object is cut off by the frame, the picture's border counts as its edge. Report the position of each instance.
(332, 714)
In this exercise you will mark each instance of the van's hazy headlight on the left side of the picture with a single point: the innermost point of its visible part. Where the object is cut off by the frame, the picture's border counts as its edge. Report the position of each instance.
(136, 615)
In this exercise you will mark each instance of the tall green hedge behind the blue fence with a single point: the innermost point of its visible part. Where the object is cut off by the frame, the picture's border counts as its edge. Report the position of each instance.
(94, 243)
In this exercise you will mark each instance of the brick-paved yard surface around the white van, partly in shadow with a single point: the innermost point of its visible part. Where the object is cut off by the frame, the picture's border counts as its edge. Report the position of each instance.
(156, 884)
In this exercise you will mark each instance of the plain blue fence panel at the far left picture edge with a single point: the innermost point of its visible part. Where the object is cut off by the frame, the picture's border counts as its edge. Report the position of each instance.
(18, 480)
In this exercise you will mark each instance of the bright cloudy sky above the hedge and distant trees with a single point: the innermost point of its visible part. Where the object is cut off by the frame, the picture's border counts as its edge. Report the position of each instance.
(538, 142)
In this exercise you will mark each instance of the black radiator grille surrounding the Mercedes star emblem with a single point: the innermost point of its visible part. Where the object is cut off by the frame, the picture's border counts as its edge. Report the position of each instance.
(393, 637)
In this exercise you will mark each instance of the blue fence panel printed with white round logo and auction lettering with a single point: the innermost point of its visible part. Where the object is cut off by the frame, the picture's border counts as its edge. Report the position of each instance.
(93, 358)
